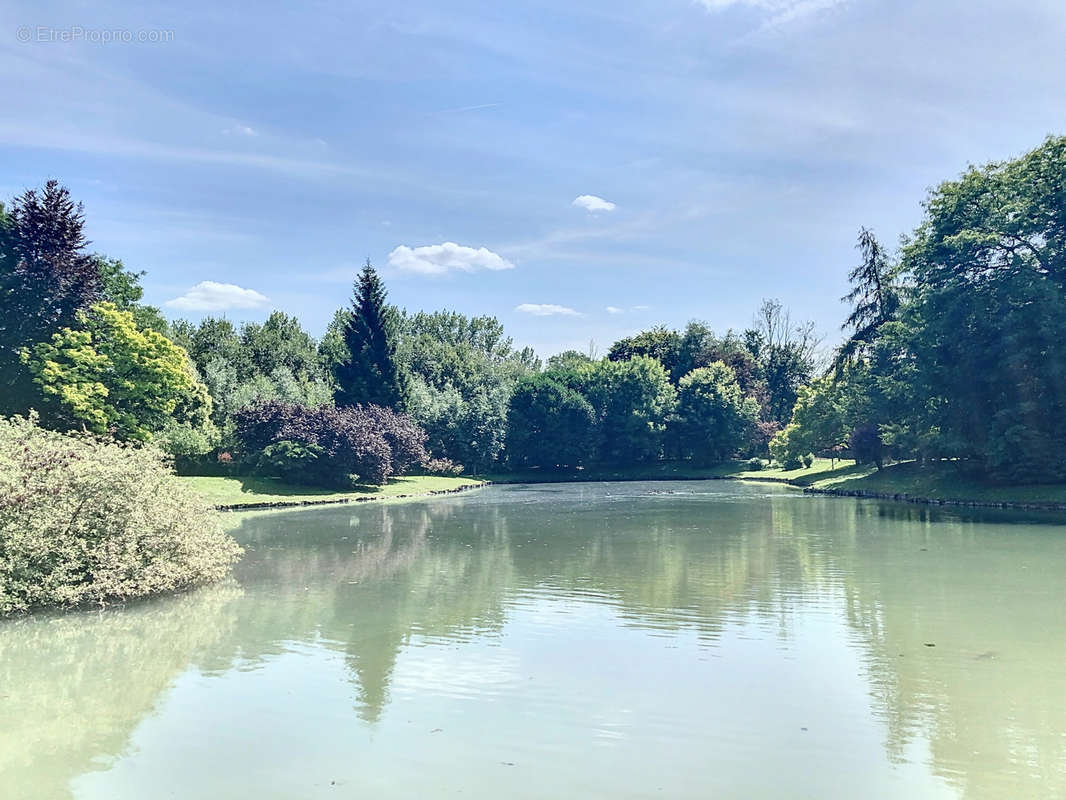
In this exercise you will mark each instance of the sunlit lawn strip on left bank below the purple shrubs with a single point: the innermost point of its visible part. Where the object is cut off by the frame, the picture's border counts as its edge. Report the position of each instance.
(241, 491)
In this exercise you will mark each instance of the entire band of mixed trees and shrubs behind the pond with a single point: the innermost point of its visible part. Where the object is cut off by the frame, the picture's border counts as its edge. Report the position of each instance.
(955, 350)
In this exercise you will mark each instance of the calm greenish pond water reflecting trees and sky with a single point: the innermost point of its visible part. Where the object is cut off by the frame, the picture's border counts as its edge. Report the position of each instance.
(628, 641)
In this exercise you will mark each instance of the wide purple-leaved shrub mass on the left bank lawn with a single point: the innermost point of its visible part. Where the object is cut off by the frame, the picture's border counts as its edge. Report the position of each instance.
(328, 446)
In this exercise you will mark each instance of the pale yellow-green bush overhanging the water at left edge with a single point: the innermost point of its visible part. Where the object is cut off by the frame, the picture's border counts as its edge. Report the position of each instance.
(86, 521)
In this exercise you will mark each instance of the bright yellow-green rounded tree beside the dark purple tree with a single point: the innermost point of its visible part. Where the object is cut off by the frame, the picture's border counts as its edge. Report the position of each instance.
(111, 377)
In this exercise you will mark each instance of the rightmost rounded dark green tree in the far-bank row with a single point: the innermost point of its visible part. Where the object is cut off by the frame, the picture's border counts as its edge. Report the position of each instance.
(714, 418)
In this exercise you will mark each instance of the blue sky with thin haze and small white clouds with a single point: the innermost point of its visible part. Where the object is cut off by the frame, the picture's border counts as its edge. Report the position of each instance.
(580, 171)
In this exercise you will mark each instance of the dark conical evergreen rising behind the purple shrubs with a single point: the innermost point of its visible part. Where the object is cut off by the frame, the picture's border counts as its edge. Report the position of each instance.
(368, 373)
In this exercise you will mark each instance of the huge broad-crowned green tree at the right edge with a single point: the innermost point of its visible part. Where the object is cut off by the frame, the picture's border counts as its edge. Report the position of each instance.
(984, 332)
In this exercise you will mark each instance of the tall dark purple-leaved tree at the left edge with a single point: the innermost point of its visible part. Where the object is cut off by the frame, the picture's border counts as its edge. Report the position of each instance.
(46, 278)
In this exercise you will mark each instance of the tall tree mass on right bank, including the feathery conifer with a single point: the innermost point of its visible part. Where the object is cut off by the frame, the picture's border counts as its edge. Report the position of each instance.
(958, 349)
